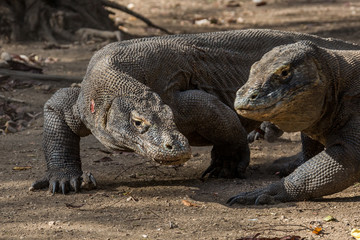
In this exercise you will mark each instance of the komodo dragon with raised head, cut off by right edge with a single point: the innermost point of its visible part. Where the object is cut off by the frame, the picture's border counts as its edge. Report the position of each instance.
(315, 90)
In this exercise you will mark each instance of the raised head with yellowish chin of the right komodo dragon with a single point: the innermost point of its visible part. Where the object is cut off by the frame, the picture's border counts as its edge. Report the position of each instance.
(286, 87)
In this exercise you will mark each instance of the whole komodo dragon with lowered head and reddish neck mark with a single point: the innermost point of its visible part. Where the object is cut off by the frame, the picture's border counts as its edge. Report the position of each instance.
(153, 95)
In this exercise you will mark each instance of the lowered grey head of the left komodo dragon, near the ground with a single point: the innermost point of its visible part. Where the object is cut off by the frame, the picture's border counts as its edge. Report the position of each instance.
(144, 126)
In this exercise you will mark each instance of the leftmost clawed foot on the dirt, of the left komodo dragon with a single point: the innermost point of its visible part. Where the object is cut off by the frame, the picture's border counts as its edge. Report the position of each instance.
(62, 181)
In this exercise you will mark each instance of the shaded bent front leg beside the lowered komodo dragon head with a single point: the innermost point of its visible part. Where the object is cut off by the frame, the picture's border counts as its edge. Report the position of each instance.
(204, 119)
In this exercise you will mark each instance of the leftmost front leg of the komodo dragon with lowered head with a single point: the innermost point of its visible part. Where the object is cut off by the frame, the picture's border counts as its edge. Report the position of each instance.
(62, 132)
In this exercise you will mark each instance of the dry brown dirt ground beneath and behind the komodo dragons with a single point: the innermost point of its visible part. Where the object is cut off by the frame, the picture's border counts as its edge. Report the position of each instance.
(137, 199)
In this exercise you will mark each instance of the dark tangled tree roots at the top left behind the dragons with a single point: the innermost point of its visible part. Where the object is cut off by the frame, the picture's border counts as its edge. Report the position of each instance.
(54, 21)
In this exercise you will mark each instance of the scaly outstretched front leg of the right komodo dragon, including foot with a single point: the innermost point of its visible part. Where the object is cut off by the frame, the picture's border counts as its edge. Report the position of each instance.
(332, 170)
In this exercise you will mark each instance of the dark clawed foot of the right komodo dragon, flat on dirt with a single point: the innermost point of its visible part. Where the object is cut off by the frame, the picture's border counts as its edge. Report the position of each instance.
(271, 194)
